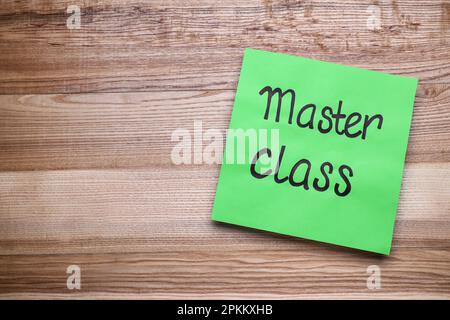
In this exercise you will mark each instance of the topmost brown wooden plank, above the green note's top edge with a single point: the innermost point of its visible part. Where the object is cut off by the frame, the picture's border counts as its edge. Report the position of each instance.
(141, 46)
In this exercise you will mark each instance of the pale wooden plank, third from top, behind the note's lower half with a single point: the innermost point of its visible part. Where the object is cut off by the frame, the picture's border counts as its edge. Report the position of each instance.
(91, 211)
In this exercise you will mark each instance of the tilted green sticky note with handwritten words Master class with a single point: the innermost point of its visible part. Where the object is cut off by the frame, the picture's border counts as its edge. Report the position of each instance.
(316, 150)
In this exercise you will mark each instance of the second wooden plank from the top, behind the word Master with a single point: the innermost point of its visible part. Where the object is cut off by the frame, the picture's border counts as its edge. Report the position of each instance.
(130, 130)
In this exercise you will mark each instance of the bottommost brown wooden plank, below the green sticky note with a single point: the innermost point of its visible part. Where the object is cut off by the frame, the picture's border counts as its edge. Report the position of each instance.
(230, 273)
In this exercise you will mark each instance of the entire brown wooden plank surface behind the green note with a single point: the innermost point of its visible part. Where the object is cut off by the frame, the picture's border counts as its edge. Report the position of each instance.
(86, 118)
